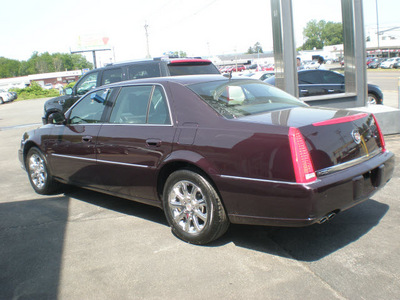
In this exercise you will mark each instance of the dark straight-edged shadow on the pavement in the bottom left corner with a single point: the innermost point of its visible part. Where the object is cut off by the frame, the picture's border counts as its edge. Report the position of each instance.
(31, 245)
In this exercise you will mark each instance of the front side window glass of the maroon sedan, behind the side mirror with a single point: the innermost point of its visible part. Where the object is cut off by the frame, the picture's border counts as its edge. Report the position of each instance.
(90, 108)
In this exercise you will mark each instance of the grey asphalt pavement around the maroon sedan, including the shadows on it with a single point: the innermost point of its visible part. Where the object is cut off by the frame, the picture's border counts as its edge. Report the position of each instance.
(85, 245)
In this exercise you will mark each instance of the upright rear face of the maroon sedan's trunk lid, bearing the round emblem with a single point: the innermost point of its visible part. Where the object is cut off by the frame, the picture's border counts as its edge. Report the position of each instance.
(342, 140)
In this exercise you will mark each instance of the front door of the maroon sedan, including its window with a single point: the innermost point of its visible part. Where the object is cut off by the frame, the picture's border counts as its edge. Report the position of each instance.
(72, 146)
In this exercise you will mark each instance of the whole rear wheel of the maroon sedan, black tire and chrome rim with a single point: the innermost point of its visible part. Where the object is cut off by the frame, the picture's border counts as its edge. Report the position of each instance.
(193, 208)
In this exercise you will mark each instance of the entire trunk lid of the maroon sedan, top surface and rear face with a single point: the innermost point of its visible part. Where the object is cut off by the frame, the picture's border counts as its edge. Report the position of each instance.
(335, 138)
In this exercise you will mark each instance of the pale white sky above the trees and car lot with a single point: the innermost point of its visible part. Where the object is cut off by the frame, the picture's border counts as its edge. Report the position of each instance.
(199, 28)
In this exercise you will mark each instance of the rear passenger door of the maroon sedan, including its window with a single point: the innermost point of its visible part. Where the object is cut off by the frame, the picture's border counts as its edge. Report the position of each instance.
(132, 144)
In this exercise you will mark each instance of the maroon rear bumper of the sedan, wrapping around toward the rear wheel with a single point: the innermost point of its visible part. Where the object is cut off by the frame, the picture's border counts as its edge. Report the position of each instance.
(274, 203)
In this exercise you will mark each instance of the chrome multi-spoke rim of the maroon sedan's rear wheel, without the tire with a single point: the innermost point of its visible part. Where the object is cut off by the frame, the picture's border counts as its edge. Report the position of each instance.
(188, 206)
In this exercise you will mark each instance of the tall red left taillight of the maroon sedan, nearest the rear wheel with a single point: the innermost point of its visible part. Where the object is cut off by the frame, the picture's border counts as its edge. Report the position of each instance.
(302, 164)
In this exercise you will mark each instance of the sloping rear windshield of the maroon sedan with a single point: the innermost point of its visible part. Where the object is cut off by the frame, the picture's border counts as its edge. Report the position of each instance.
(239, 98)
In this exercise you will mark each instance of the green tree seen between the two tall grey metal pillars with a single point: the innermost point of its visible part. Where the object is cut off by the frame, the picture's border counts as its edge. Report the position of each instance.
(322, 33)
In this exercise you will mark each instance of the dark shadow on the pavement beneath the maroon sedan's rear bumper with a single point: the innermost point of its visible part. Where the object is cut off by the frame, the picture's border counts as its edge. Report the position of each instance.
(313, 242)
